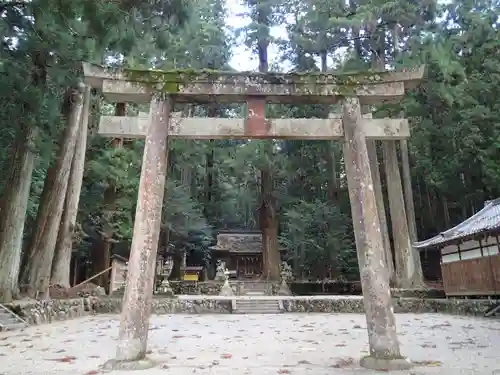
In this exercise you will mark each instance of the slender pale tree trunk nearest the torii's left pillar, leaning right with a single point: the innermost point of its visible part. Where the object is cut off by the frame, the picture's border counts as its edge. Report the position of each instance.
(61, 266)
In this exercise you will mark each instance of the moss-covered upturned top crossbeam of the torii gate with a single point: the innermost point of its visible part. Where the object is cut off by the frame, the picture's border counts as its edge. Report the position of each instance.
(126, 85)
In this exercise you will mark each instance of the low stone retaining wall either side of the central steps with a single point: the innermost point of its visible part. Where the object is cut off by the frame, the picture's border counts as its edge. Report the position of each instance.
(40, 312)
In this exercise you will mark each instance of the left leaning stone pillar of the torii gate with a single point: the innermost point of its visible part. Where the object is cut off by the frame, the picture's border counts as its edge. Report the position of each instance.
(136, 309)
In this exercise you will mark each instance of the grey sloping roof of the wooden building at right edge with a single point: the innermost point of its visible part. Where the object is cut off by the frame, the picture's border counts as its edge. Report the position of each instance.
(486, 220)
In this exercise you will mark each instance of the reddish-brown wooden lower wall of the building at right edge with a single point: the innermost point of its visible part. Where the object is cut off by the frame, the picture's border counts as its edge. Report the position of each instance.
(472, 277)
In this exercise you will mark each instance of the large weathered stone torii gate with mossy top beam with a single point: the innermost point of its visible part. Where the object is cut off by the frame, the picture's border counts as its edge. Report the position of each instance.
(163, 89)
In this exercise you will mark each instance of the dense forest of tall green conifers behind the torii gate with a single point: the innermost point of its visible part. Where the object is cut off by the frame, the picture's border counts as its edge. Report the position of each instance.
(48, 218)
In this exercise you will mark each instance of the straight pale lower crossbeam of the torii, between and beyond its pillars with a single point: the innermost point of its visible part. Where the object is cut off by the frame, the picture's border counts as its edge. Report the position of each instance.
(223, 128)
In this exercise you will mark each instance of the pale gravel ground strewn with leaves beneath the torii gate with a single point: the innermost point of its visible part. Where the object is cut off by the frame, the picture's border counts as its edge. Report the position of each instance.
(316, 344)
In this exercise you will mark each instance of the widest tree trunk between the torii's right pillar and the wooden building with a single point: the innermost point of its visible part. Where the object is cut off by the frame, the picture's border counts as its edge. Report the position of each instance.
(406, 263)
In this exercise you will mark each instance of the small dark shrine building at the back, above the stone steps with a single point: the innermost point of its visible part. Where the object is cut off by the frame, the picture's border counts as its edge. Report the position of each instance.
(241, 253)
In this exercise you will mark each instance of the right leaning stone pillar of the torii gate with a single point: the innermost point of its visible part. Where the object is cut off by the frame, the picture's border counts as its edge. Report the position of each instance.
(384, 346)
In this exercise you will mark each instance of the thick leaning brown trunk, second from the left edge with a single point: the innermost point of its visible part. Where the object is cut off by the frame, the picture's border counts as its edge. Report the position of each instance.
(43, 241)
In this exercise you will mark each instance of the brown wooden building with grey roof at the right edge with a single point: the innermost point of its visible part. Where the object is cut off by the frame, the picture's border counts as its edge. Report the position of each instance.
(470, 259)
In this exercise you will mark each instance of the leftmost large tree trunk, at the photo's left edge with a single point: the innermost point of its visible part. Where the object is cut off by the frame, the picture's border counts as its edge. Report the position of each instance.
(13, 215)
